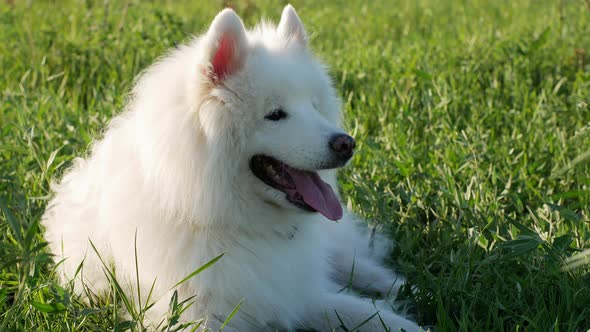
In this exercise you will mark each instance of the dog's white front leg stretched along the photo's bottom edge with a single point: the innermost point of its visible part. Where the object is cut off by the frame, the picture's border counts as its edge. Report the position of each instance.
(335, 311)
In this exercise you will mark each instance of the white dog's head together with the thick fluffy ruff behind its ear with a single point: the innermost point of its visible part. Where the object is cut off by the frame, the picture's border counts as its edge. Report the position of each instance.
(266, 118)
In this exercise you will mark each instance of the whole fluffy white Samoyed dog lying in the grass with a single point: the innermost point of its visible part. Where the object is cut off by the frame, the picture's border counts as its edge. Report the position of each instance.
(228, 145)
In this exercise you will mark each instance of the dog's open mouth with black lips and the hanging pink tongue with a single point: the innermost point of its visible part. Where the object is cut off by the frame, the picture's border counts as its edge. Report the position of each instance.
(305, 189)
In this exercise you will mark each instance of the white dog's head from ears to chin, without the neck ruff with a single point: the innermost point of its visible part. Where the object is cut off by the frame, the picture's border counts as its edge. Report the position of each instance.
(279, 105)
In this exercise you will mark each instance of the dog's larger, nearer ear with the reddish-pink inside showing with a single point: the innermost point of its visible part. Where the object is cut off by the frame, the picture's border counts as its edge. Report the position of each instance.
(227, 45)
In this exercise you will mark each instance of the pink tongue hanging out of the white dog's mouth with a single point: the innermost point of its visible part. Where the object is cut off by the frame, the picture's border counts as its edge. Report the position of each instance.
(317, 194)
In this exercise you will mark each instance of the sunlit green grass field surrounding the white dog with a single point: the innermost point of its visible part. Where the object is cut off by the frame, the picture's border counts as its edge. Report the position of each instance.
(472, 119)
